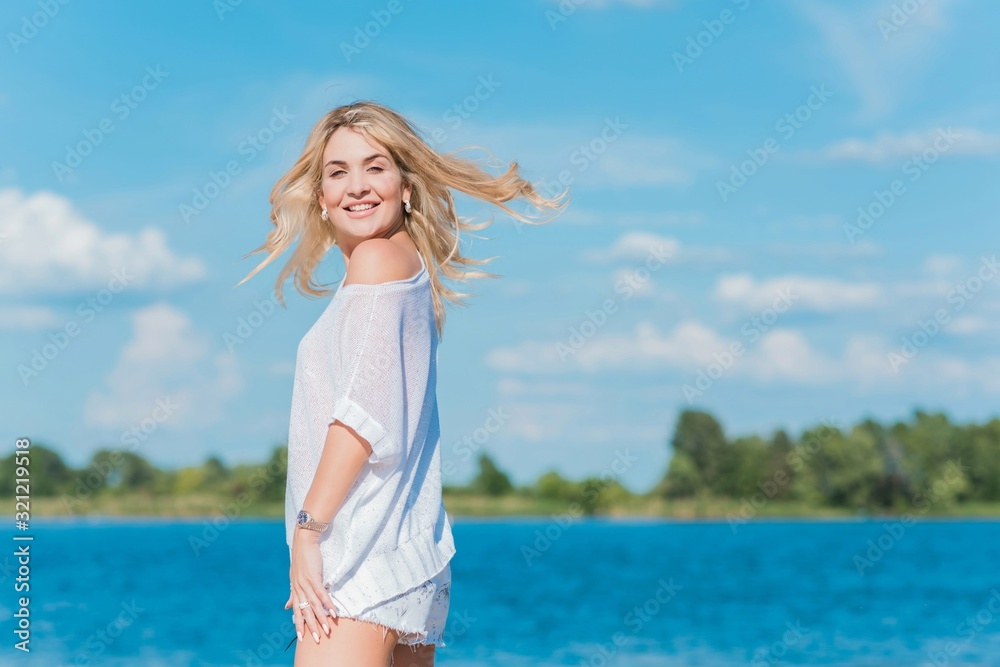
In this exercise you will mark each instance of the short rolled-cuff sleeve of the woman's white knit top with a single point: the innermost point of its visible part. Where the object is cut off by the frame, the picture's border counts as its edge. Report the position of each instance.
(369, 379)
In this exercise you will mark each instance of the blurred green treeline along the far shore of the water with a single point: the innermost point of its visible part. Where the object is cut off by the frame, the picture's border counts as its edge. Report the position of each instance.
(913, 466)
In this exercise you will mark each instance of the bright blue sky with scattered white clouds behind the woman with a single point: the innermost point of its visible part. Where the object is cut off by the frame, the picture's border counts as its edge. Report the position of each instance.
(739, 140)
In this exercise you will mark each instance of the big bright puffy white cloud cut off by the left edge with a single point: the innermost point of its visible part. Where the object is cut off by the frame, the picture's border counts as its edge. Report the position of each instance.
(48, 246)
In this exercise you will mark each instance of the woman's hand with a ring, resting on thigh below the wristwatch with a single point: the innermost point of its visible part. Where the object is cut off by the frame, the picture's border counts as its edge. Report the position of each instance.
(306, 578)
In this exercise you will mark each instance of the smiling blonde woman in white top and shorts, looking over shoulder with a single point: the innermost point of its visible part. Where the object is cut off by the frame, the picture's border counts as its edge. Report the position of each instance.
(369, 539)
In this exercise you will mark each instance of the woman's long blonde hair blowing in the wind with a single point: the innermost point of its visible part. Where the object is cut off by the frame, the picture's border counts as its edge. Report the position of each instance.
(433, 224)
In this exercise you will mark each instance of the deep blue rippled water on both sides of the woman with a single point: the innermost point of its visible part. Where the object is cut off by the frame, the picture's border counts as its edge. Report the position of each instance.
(594, 593)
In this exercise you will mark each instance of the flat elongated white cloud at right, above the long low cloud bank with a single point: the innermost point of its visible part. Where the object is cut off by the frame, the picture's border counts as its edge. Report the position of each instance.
(822, 294)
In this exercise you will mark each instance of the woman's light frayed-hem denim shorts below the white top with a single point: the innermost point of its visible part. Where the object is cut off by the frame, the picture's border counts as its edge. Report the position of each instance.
(418, 615)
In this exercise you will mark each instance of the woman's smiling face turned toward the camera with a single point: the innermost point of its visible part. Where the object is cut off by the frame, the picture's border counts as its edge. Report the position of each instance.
(358, 172)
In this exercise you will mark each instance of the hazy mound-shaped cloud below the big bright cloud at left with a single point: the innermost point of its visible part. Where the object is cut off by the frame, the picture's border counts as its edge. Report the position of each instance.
(165, 360)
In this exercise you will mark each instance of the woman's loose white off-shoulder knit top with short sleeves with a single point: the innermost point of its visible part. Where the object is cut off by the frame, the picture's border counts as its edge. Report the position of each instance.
(370, 361)
